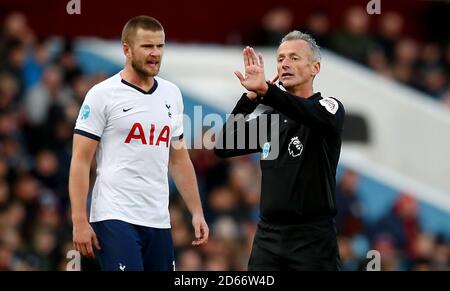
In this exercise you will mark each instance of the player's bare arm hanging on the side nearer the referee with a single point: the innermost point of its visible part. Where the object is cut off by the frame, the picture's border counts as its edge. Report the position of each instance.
(182, 172)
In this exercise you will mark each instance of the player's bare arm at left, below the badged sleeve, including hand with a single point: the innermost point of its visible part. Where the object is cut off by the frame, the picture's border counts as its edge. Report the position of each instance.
(82, 153)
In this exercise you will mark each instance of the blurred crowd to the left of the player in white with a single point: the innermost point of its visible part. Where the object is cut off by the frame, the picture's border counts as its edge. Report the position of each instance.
(40, 96)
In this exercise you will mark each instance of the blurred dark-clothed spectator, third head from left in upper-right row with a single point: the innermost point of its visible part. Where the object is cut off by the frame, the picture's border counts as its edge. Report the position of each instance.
(354, 40)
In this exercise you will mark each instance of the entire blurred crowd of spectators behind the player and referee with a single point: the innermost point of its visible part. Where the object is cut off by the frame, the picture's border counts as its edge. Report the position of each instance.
(40, 95)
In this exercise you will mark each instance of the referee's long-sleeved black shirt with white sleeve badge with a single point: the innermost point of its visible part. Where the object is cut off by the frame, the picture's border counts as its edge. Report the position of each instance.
(299, 184)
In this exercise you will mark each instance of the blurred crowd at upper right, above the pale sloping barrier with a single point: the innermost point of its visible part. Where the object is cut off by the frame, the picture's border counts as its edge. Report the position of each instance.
(378, 42)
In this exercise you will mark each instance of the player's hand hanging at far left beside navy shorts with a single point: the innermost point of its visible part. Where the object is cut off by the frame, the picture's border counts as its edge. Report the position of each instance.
(84, 238)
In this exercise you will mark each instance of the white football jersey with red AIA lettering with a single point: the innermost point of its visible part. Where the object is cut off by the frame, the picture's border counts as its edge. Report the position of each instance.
(134, 129)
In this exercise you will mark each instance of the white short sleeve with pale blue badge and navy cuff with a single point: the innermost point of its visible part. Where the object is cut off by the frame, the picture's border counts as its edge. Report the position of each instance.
(92, 118)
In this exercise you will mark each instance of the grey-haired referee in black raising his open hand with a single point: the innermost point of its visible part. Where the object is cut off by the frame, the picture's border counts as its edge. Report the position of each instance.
(296, 230)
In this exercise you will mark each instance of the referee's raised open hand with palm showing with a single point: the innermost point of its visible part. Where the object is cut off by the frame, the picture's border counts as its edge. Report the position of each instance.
(254, 79)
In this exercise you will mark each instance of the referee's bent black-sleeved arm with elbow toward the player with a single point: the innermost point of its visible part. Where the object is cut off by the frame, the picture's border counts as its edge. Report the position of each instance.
(234, 138)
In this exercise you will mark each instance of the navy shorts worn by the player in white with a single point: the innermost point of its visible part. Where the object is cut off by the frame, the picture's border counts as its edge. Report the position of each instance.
(129, 247)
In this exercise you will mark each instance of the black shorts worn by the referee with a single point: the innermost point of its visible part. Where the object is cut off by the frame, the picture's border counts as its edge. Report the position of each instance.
(310, 246)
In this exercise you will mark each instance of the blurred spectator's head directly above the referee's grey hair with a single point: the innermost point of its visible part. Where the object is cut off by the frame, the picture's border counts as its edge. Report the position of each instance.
(276, 23)
